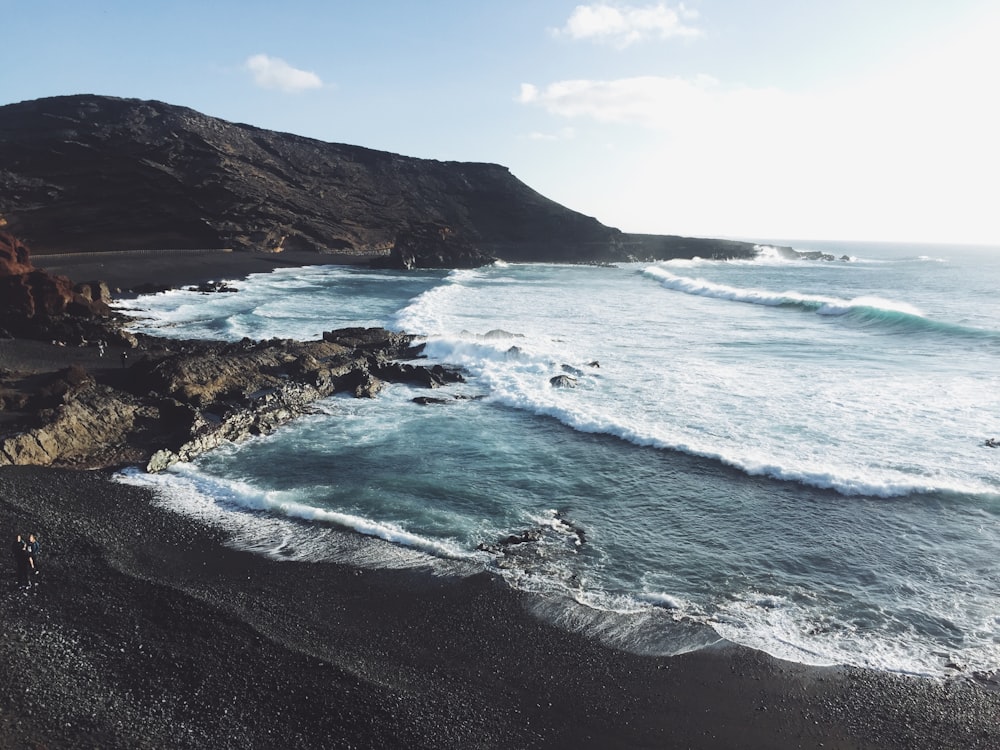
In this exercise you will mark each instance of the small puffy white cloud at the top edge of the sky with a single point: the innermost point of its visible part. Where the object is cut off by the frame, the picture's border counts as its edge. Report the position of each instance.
(622, 25)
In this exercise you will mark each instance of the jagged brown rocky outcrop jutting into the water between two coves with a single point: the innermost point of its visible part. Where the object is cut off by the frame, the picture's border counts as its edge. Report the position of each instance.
(178, 400)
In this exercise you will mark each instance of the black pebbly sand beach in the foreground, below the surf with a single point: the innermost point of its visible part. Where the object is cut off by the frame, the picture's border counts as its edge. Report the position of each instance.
(147, 631)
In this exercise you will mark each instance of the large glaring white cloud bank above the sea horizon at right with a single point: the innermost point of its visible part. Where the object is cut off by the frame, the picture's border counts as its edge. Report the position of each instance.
(908, 154)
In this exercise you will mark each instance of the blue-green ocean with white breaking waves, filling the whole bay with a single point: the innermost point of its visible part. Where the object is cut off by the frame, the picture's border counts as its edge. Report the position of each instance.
(786, 454)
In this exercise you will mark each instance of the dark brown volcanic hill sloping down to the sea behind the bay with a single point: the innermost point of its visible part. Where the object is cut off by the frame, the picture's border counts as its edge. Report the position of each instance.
(93, 173)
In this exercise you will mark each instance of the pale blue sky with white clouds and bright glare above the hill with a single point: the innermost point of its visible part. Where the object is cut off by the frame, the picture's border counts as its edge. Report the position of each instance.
(873, 120)
